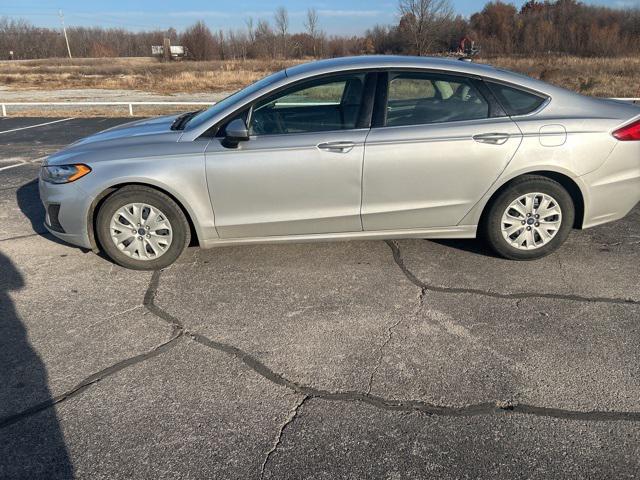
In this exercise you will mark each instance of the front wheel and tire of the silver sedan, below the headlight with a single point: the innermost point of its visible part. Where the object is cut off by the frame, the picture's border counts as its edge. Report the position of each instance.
(166, 237)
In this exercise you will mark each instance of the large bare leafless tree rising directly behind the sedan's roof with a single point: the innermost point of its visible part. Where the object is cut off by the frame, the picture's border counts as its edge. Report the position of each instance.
(422, 21)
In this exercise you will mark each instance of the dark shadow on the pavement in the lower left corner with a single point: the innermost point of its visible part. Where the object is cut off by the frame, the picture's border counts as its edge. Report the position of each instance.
(31, 444)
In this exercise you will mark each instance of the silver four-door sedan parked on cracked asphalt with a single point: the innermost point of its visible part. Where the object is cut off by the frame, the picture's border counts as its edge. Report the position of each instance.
(353, 148)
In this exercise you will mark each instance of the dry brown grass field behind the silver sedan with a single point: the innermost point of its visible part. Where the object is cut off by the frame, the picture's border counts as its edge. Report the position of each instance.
(608, 77)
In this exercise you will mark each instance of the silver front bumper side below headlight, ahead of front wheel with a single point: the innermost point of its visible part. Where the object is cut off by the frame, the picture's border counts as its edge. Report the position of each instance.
(66, 207)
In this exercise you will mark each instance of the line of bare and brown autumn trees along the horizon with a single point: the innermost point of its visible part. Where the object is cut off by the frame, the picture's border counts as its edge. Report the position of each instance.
(424, 27)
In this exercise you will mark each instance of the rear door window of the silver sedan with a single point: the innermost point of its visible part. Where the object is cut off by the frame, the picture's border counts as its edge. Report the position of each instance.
(417, 99)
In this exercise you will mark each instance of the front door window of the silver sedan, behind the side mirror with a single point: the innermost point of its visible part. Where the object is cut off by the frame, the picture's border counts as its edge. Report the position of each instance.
(327, 104)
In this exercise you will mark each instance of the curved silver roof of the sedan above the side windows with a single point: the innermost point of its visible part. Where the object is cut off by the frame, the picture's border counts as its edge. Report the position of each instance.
(335, 65)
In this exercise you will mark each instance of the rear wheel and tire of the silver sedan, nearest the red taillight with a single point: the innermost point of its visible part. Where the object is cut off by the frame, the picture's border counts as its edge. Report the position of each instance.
(537, 237)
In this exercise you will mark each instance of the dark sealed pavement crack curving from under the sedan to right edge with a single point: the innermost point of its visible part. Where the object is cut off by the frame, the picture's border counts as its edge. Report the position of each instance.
(397, 256)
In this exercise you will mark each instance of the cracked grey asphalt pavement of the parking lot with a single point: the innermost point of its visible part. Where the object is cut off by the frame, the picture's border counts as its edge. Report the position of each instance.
(386, 360)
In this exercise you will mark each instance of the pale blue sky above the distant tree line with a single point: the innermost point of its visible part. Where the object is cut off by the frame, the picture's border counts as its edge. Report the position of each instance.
(336, 16)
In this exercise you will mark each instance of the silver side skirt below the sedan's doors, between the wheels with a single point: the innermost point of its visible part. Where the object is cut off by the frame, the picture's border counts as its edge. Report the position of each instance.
(460, 231)
